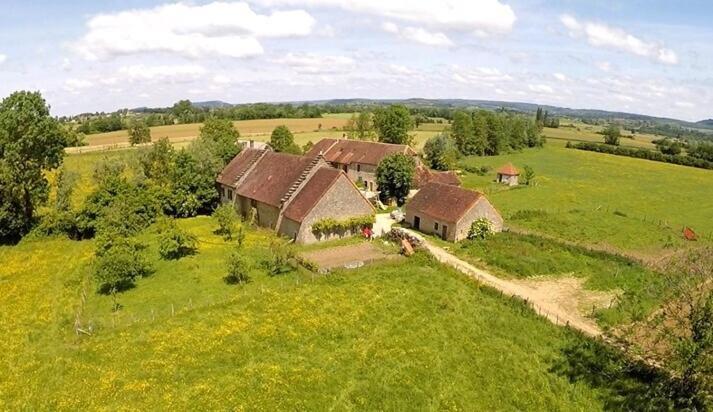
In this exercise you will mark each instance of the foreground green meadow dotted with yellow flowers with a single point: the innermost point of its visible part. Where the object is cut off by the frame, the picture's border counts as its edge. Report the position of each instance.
(406, 335)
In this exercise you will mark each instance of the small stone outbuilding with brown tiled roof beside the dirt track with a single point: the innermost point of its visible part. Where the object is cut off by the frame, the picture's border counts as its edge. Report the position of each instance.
(448, 211)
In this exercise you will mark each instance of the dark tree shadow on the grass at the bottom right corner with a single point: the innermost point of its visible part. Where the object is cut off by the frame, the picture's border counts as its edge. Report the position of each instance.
(625, 384)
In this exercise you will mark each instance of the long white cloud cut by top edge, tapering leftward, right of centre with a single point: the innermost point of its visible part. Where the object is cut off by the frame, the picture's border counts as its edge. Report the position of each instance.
(478, 17)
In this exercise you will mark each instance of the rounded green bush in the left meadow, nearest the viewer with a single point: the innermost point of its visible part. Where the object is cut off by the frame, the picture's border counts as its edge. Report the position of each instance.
(120, 265)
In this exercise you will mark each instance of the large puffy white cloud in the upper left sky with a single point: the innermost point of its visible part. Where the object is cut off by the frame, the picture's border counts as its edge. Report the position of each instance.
(214, 29)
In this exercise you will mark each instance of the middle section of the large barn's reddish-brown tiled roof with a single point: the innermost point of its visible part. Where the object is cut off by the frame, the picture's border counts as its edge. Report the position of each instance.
(272, 177)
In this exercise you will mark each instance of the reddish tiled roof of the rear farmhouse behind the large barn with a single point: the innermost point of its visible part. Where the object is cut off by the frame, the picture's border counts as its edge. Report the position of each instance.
(345, 151)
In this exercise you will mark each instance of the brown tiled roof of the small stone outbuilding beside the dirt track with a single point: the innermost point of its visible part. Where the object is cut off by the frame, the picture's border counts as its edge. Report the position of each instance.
(443, 202)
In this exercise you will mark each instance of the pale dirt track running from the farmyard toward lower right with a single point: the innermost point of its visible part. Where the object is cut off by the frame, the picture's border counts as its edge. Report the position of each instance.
(539, 302)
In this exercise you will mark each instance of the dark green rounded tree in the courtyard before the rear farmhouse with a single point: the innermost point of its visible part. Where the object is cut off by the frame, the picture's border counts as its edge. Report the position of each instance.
(393, 176)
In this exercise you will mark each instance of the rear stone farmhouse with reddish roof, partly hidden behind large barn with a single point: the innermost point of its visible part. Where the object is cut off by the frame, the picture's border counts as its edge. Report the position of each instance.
(358, 158)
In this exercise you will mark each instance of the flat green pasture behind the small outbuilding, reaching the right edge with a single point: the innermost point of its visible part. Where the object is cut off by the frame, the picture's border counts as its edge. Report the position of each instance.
(582, 190)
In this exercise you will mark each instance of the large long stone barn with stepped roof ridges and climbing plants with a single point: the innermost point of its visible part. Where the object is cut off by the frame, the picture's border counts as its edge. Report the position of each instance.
(290, 193)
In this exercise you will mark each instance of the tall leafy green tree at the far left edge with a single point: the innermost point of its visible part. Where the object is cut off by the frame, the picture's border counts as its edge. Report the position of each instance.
(31, 142)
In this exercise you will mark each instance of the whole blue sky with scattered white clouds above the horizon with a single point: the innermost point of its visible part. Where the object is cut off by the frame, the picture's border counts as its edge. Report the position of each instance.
(651, 57)
